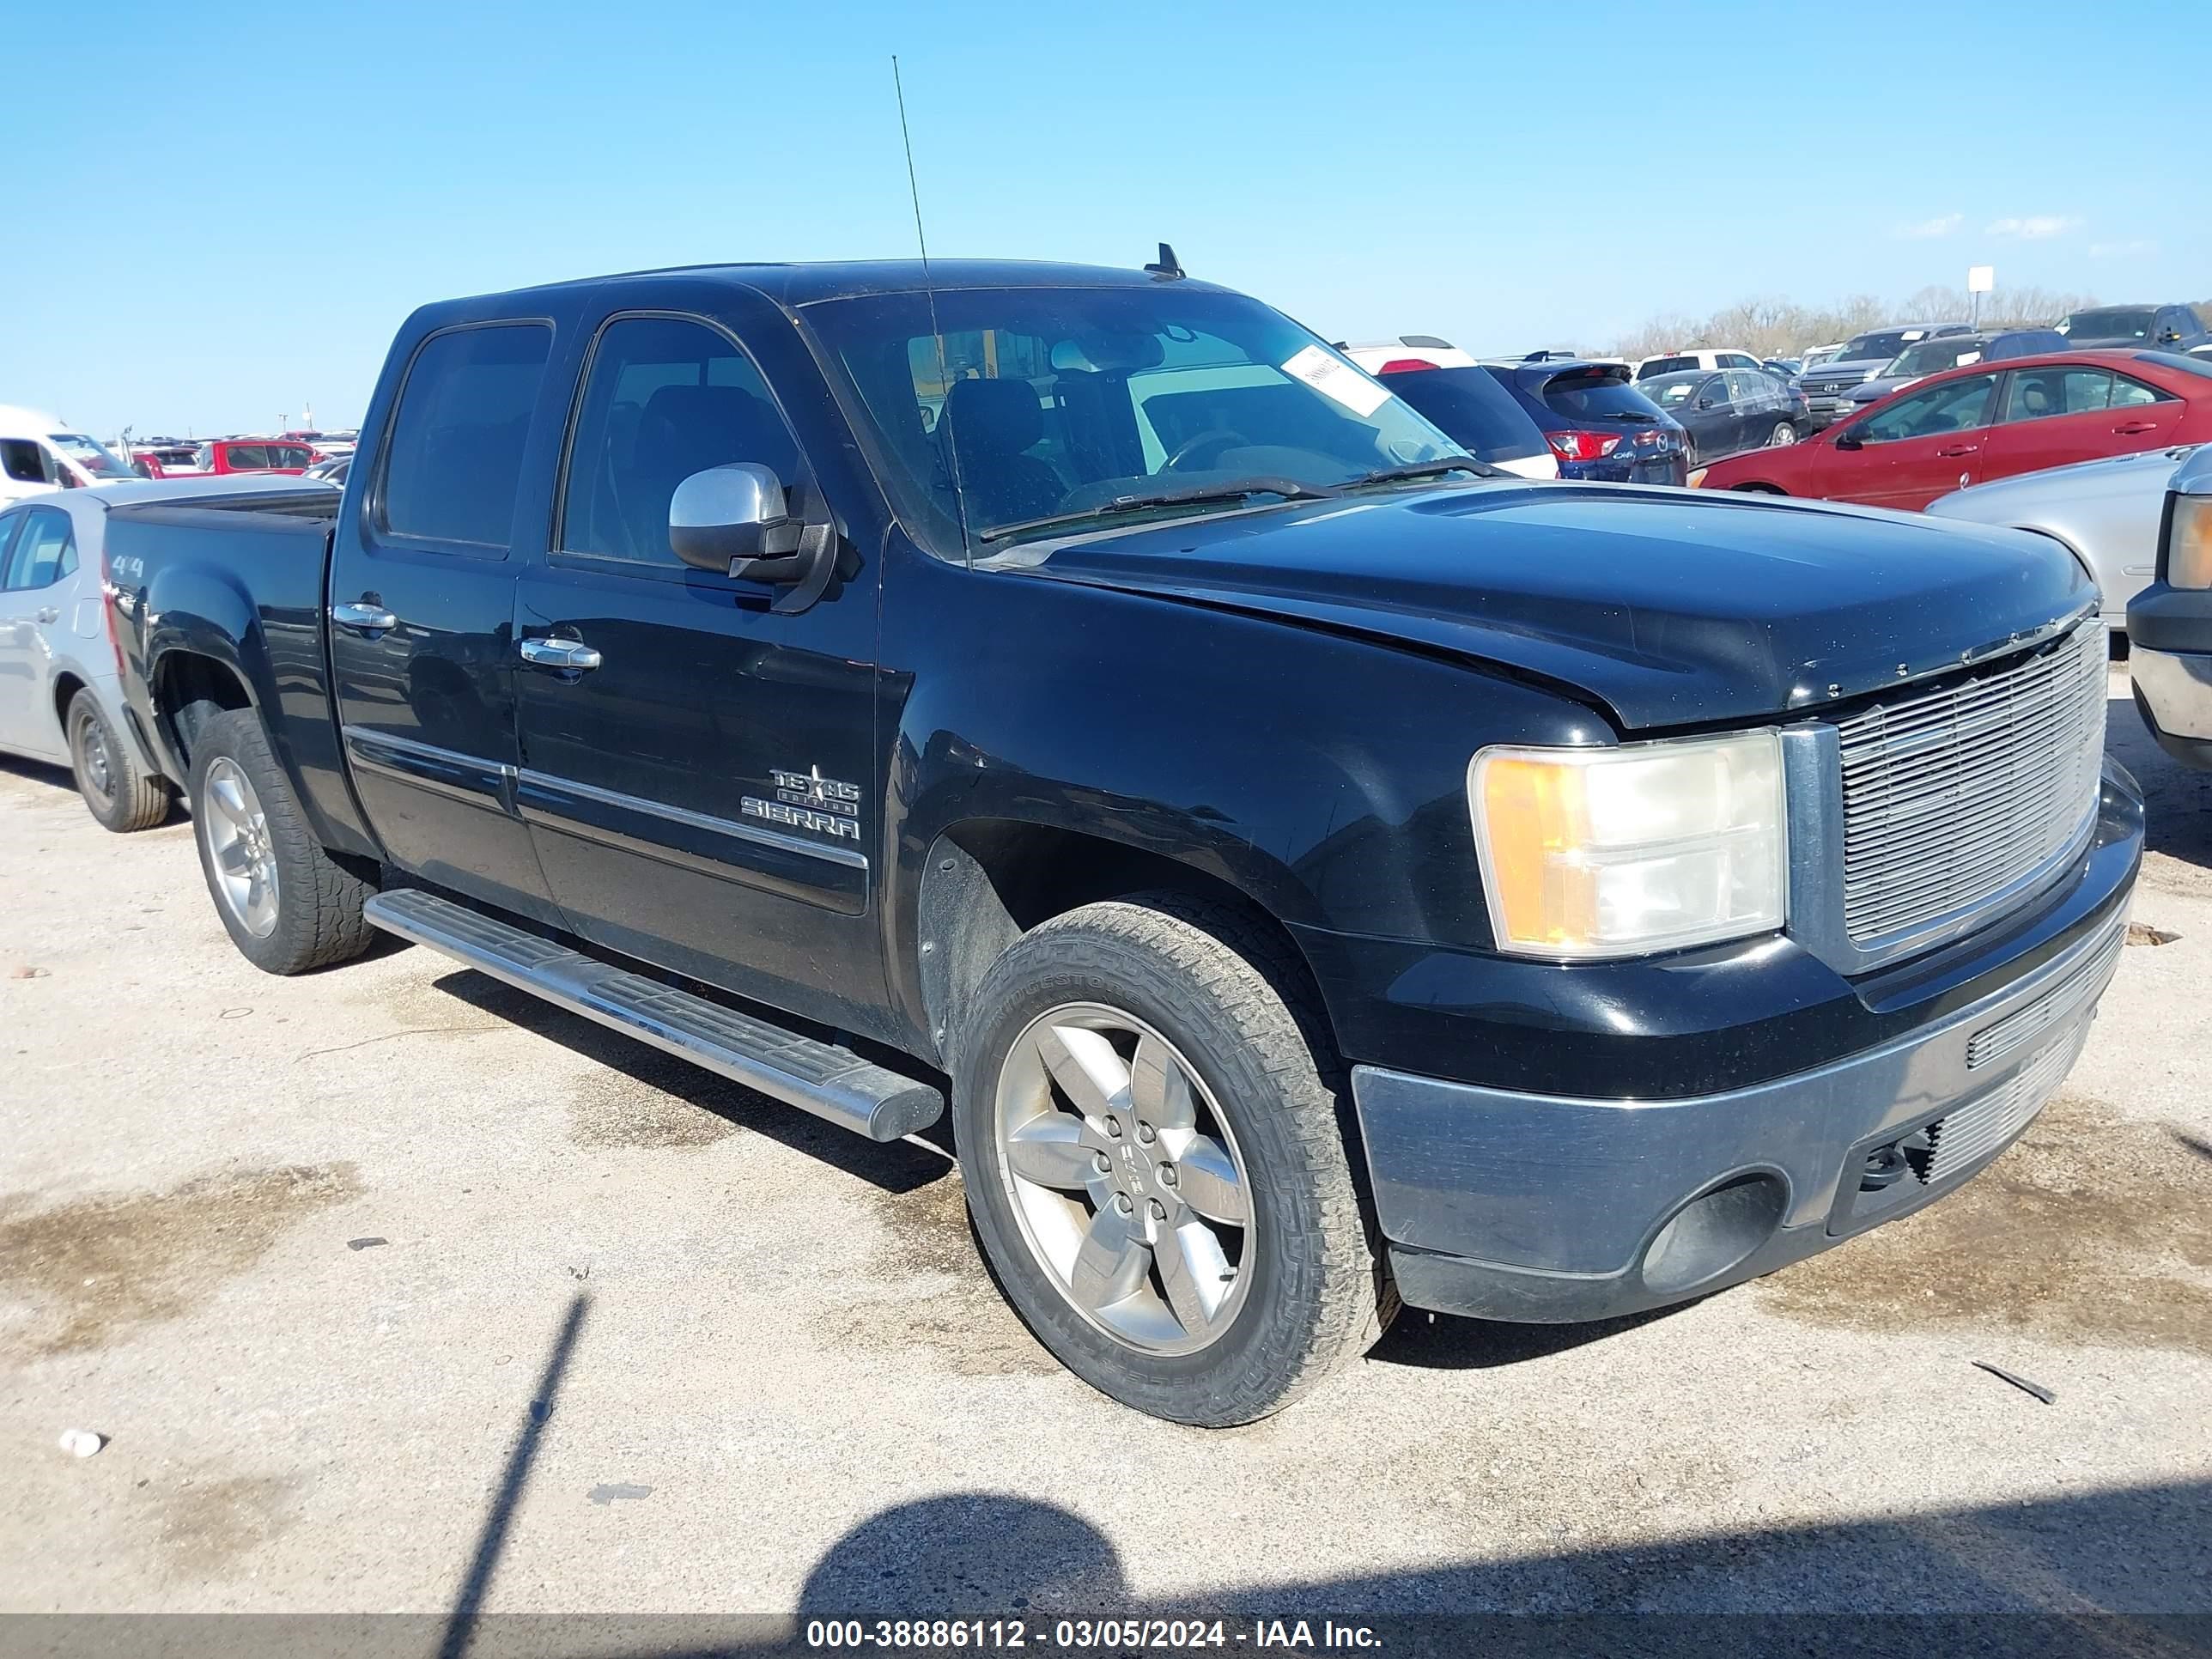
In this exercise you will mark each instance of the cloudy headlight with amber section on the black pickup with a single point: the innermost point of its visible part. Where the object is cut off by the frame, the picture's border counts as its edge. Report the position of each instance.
(1636, 848)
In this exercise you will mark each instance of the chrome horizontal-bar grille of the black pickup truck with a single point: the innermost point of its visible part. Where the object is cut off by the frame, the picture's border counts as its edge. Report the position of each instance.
(1954, 797)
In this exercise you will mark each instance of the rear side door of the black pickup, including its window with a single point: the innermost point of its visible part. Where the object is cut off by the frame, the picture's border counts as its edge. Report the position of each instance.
(421, 612)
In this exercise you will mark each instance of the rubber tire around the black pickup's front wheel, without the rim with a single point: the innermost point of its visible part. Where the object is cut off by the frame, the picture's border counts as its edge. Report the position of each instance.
(1233, 1001)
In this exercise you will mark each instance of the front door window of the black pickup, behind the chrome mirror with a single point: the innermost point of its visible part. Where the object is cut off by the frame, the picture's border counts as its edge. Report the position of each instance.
(665, 399)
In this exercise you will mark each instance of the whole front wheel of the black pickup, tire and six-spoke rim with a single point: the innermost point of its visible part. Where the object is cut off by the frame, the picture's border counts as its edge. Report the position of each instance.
(1154, 1160)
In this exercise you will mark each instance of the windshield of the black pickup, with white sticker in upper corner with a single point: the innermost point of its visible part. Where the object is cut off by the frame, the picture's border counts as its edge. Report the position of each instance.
(1043, 401)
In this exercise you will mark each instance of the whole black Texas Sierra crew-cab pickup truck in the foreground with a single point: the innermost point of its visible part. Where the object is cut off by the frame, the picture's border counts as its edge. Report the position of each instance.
(1313, 870)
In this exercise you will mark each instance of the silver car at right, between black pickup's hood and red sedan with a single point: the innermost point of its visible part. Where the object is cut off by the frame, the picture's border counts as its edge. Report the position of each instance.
(2105, 512)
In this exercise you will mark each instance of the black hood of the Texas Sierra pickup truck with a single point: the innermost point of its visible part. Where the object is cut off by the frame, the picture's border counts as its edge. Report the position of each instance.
(1665, 607)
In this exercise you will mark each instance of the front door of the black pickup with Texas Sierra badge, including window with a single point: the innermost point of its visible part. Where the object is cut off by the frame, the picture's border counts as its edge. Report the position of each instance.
(698, 773)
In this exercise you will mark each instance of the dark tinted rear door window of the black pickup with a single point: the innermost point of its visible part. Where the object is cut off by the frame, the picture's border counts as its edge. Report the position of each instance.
(457, 441)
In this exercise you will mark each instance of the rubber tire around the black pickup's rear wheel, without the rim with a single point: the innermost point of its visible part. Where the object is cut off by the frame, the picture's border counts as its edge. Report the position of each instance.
(317, 901)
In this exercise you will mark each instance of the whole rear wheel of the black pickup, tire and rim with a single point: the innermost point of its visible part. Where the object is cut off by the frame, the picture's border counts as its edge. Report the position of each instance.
(286, 904)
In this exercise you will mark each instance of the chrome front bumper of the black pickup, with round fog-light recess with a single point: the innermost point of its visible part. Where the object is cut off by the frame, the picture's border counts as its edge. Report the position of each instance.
(1521, 1207)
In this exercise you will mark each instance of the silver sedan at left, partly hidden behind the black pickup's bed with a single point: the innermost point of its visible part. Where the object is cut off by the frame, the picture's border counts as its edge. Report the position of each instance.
(59, 676)
